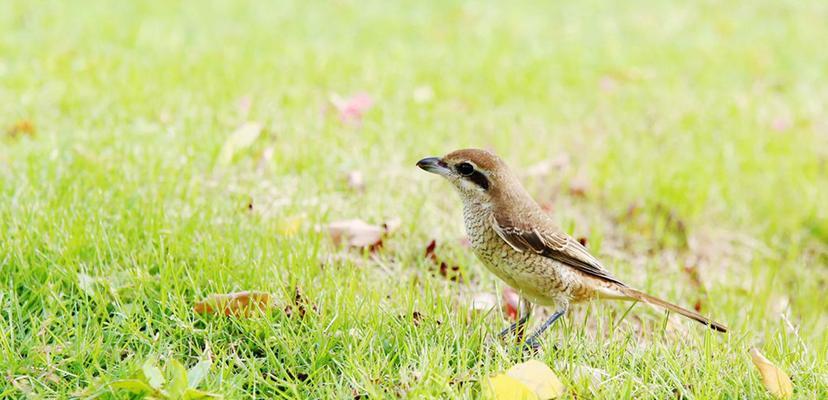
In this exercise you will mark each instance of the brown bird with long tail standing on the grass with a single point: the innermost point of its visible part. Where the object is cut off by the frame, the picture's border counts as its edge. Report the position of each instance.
(518, 241)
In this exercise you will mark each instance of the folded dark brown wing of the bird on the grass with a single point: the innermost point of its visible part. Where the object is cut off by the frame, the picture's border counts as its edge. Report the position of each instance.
(555, 245)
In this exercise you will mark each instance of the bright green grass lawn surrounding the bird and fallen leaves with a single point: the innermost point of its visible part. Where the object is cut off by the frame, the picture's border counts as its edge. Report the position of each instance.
(700, 129)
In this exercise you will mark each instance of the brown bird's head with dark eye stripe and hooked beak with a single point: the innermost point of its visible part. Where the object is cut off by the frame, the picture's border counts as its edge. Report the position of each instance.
(478, 175)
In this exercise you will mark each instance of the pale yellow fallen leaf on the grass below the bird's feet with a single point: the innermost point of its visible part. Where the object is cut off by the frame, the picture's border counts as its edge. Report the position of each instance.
(529, 380)
